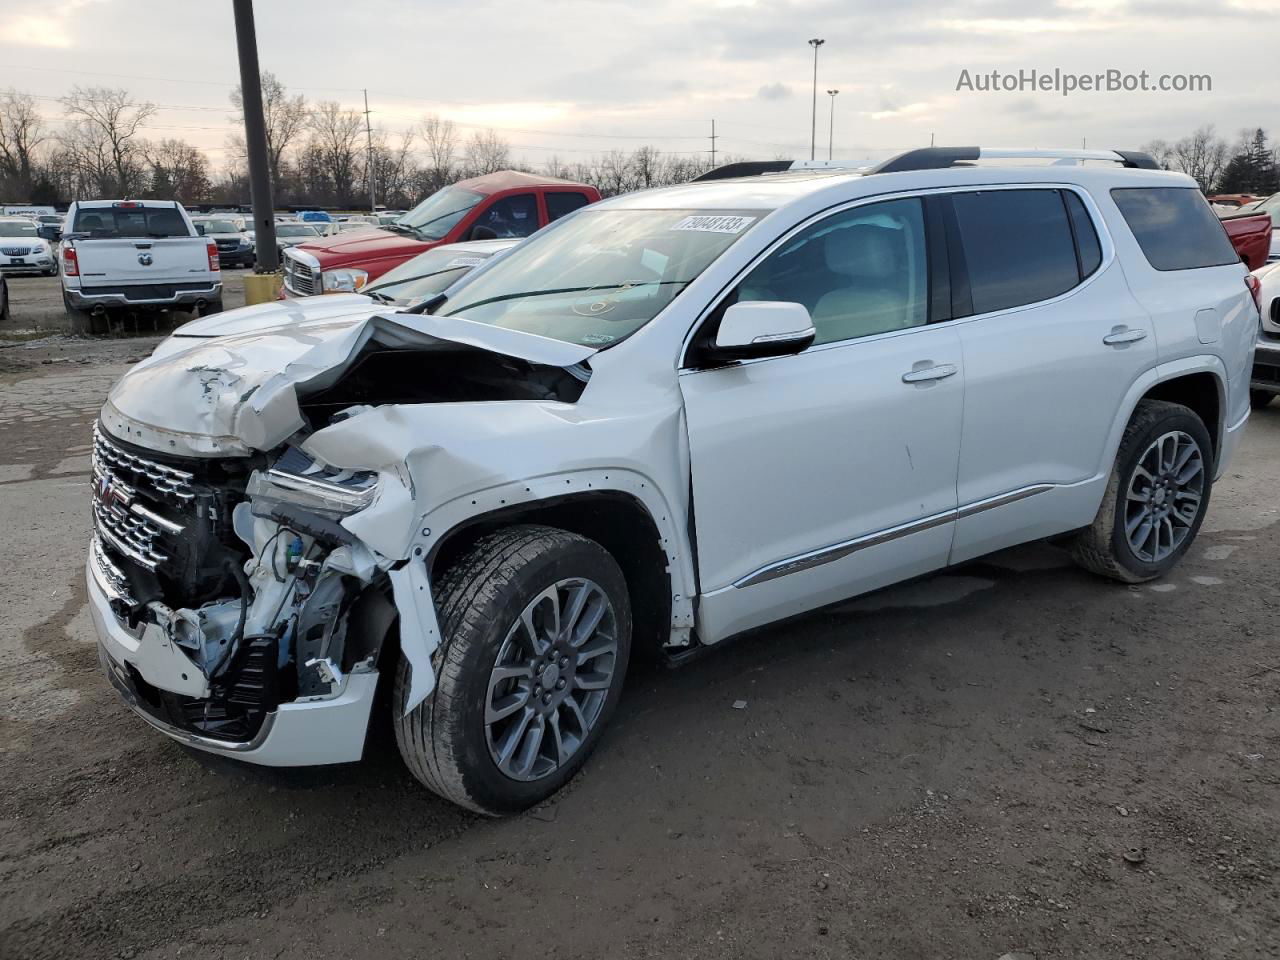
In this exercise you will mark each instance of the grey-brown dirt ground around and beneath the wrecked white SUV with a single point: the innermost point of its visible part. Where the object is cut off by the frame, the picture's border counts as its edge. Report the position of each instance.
(953, 769)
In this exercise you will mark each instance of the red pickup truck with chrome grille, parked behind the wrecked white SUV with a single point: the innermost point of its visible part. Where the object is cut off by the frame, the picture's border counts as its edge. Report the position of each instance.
(505, 204)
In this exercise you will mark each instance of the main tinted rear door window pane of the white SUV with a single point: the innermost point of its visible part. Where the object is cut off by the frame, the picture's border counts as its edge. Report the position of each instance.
(1017, 245)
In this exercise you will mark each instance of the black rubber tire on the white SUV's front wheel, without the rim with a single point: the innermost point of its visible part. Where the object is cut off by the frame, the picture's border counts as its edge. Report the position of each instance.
(444, 740)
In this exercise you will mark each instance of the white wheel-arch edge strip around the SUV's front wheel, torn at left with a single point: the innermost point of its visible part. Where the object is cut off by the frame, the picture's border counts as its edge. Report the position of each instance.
(412, 587)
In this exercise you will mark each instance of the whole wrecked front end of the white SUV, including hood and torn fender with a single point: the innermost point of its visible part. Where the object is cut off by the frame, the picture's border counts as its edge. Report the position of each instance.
(244, 589)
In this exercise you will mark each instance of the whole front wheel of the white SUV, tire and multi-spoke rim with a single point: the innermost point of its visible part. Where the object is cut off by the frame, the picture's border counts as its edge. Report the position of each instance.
(537, 634)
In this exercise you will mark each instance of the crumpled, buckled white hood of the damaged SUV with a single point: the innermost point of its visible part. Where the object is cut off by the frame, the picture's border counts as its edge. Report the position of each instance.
(234, 395)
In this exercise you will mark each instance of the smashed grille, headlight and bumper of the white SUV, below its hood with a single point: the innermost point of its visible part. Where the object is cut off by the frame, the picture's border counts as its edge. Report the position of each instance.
(228, 597)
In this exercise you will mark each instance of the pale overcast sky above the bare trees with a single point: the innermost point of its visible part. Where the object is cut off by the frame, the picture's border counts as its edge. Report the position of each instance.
(577, 77)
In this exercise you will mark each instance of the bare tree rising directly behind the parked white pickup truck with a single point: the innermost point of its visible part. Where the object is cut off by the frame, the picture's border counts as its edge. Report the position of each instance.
(103, 125)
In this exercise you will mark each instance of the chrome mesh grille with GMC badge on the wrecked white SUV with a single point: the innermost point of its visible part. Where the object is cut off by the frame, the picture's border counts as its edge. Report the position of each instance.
(125, 523)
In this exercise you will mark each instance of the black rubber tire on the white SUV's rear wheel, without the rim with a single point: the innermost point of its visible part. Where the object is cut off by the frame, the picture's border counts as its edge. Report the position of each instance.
(1103, 547)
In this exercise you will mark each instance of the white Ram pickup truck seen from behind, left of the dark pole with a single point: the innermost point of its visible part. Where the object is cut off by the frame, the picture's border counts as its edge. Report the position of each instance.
(135, 255)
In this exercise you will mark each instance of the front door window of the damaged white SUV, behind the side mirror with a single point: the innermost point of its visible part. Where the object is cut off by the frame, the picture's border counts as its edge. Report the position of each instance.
(860, 272)
